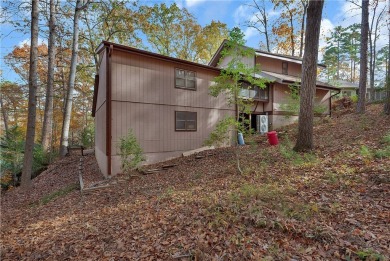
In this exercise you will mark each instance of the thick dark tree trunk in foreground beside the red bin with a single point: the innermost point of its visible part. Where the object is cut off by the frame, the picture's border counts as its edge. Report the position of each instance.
(309, 76)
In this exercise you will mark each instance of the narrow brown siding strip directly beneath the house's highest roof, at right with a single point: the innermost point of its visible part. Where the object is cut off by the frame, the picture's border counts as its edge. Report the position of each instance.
(275, 65)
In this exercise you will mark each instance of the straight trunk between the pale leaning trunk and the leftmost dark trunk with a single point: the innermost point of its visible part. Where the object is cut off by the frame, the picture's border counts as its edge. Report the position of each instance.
(48, 114)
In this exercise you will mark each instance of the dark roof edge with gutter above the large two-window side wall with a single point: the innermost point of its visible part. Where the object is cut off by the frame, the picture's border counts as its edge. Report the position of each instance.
(105, 44)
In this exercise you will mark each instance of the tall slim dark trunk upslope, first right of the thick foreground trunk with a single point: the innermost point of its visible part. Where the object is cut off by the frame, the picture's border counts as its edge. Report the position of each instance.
(361, 105)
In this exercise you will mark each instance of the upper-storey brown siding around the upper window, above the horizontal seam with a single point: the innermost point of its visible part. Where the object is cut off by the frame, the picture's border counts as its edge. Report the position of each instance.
(142, 79)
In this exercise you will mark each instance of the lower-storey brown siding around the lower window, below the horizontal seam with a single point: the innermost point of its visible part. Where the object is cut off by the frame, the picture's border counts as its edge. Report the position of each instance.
(154, 126)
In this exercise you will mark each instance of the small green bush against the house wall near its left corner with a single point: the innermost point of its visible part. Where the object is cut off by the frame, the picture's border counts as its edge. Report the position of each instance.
(131, 152)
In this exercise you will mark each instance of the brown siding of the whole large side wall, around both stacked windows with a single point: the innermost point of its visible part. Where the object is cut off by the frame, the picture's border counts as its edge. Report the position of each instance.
(144, 99)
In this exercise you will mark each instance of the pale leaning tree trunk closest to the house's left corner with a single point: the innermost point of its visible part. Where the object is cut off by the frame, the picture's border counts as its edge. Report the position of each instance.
(72, 76)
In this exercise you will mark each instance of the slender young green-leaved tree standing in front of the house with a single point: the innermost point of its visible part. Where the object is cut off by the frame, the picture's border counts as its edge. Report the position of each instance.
(235, 77)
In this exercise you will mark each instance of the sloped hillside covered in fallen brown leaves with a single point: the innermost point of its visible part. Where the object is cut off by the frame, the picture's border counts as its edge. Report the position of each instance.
(332, 204)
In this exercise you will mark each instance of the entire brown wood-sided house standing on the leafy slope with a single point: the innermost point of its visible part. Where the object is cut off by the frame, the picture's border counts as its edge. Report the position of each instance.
(166, 101)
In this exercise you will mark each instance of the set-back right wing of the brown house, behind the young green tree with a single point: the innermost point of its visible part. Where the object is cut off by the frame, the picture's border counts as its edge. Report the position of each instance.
(282, 71)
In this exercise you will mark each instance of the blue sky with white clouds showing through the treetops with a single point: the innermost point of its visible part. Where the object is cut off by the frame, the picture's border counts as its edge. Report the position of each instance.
(232, 12)
